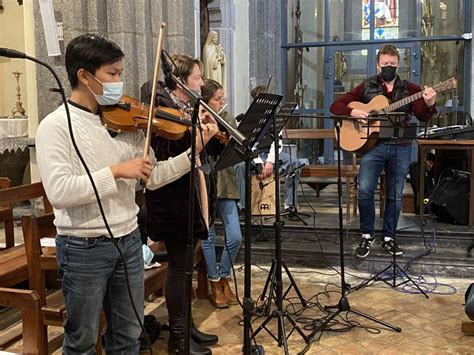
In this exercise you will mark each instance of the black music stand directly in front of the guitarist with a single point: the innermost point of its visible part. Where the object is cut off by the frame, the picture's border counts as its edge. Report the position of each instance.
(394, 126)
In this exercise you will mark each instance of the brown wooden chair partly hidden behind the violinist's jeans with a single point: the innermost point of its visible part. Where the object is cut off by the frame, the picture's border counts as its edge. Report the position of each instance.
(41, 260)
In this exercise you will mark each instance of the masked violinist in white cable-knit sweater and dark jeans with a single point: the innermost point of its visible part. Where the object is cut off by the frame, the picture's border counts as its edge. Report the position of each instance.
(92, 270)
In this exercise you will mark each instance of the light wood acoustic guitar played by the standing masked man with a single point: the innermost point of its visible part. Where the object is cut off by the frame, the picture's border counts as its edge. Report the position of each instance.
(361, 137)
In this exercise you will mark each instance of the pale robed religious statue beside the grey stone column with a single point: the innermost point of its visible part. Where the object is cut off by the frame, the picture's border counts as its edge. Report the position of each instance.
(214, 59)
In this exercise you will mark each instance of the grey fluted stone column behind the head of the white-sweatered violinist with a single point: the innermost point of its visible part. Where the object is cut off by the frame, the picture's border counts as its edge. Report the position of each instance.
(133, 24)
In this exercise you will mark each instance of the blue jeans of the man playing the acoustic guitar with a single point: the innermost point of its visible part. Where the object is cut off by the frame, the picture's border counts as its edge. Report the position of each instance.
(395, 159)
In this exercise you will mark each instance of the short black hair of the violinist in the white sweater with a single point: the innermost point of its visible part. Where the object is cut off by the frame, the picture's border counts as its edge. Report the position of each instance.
(90, 51)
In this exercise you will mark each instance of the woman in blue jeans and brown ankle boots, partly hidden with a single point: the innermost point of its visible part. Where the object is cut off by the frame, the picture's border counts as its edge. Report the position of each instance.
(228, 195)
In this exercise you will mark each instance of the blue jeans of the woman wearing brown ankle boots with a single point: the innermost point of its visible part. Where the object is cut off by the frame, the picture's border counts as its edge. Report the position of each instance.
(230, 218)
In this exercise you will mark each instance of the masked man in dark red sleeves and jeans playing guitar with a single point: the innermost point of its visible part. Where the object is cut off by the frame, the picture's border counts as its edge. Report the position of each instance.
(391, 155)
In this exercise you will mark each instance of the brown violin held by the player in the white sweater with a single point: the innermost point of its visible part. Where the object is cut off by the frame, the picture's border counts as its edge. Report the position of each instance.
(131, 114)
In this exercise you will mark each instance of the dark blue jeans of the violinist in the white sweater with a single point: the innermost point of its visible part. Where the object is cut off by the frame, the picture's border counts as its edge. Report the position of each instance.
(93, 278)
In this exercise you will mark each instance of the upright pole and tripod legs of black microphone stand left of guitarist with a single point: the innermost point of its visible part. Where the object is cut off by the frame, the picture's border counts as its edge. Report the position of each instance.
(343, 304)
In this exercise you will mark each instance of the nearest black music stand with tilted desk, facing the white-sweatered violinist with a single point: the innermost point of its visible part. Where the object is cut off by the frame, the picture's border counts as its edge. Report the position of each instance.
(254, 126)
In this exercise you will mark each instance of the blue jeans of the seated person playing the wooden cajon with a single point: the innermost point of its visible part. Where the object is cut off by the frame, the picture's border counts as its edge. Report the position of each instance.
(287, 163)
